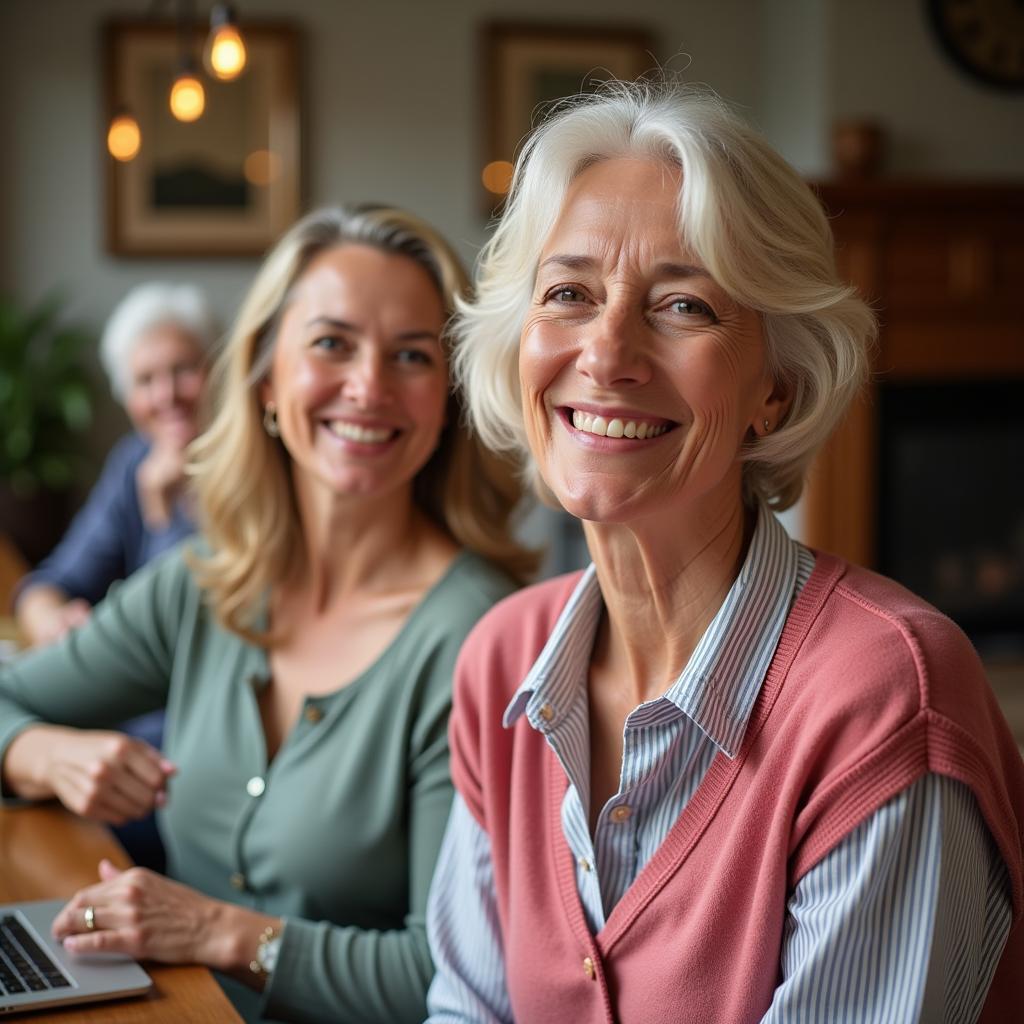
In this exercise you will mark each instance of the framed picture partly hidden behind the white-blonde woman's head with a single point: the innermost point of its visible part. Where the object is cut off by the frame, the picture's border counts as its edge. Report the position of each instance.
(529, 66)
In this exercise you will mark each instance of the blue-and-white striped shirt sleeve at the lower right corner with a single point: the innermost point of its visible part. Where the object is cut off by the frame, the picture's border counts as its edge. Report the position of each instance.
(906, 920)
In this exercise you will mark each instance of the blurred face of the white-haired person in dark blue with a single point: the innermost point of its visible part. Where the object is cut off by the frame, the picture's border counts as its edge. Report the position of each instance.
(166, 374)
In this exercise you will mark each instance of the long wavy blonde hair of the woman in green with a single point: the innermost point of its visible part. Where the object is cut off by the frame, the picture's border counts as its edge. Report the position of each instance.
(247, 506)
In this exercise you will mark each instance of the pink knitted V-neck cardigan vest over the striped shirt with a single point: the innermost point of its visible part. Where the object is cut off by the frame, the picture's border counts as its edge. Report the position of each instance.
(869, 690)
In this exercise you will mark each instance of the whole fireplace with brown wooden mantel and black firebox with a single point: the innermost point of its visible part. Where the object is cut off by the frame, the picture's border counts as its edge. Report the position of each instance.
(925, 479)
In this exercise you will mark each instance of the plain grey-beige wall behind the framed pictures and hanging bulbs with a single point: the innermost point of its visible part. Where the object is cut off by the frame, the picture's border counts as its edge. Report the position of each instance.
(393, 112)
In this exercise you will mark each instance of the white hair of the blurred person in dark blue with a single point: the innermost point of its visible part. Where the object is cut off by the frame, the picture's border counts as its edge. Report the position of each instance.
(148, 307)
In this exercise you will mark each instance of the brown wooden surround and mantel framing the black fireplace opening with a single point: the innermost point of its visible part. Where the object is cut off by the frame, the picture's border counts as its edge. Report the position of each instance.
(944, 268)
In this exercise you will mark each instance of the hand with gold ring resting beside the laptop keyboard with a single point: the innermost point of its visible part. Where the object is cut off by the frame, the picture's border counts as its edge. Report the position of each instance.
(144, 915)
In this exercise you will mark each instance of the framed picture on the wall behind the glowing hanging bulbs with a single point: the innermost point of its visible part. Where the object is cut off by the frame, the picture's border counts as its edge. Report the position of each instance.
(226, 184)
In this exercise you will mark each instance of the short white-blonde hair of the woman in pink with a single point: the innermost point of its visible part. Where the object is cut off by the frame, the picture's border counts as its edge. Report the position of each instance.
(744, 212)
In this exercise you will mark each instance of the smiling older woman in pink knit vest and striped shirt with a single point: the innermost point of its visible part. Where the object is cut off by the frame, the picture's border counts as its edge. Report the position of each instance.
(717, 777)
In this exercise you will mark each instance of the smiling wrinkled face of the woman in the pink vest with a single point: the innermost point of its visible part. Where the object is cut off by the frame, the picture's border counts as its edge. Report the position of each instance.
(641, 376)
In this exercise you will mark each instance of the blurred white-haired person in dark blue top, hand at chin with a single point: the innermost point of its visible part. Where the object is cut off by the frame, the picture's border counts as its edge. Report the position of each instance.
(155, 350)
